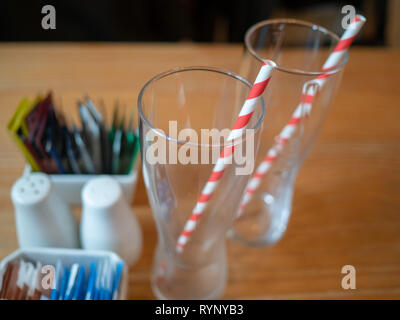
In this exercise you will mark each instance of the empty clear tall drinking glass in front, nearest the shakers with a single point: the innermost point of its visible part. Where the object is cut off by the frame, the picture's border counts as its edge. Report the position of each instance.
(182, 114)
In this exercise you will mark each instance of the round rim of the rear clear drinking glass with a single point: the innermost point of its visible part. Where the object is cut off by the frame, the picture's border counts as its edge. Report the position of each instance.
(297, 22)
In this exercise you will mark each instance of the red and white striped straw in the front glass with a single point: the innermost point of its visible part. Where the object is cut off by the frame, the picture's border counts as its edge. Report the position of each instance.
(242, 120)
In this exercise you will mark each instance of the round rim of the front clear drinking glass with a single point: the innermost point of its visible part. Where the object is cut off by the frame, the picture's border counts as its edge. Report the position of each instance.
(175, 70)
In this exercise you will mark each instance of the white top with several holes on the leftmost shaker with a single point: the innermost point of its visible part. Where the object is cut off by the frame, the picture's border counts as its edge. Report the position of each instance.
(31, 189)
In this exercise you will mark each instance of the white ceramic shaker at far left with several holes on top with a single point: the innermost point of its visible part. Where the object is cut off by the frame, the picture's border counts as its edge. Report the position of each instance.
(42, 218)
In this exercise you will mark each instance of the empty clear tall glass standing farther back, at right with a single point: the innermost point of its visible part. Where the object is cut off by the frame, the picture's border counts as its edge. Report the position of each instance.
(299, 49)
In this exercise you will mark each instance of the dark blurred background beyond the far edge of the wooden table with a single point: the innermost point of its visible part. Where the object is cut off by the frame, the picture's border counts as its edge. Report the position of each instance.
(185, 20)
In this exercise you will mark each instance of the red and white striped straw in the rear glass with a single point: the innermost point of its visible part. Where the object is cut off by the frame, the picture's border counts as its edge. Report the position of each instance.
(305, 105)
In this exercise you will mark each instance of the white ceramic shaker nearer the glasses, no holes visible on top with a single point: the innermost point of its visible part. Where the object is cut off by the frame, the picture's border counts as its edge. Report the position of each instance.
(108, 222)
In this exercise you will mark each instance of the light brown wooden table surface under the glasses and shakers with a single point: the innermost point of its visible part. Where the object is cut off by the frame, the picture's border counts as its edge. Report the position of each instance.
(347, 200)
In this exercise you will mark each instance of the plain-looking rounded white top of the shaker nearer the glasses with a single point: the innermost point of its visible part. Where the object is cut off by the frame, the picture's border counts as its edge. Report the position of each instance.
(101, 192)
